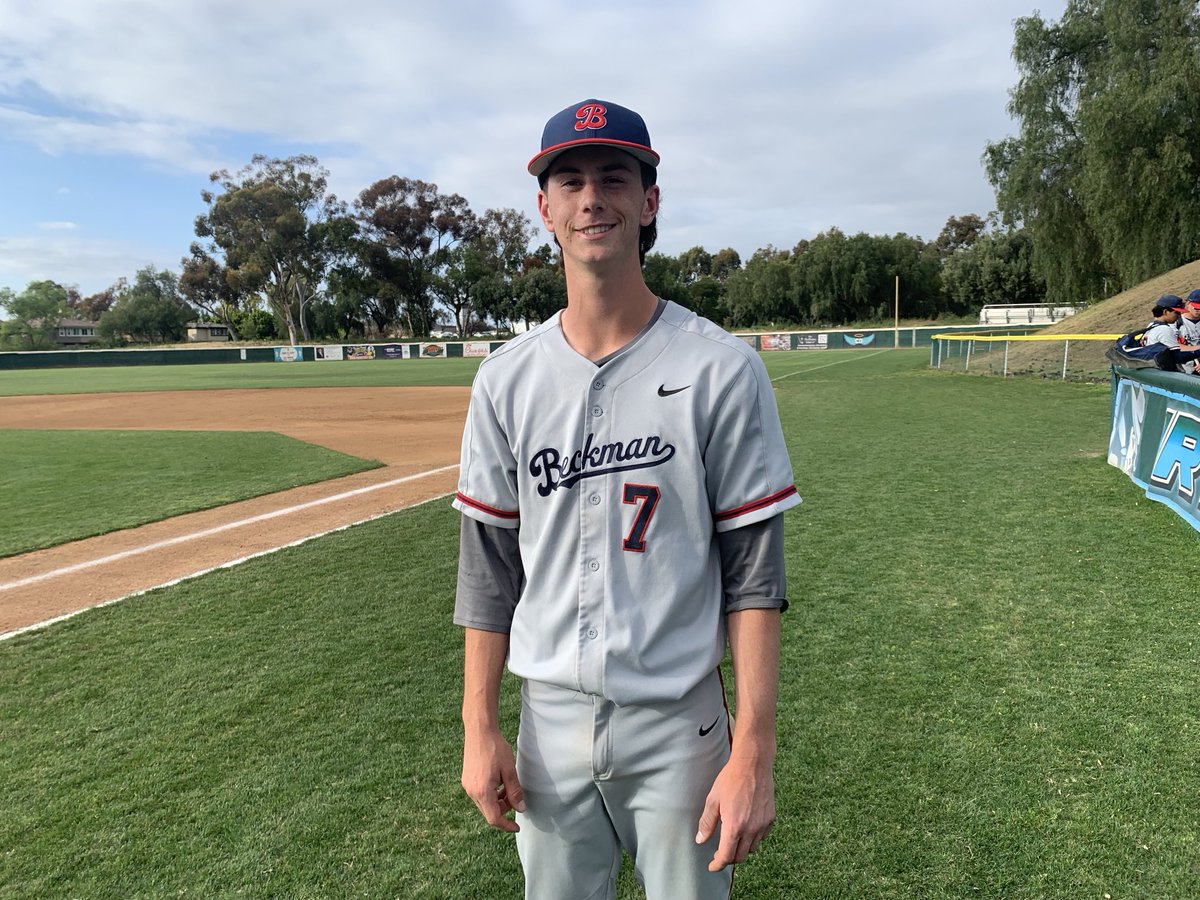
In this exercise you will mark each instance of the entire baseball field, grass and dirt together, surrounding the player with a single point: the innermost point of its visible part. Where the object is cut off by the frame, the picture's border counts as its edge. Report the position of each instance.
(989, 674)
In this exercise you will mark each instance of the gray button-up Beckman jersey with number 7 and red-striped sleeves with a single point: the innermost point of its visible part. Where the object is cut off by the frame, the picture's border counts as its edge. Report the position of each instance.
(619, 478)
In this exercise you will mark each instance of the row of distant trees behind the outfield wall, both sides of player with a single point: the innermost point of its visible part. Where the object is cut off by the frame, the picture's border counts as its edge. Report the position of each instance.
(278, 257)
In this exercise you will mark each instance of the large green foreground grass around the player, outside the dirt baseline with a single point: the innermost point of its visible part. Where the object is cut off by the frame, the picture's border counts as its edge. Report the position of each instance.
(989, 685)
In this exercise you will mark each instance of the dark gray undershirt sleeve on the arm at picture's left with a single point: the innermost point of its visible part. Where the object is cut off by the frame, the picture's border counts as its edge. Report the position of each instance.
(491, 577)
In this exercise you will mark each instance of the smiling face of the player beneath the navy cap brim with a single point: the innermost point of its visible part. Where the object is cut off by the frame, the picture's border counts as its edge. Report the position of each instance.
(596, 206)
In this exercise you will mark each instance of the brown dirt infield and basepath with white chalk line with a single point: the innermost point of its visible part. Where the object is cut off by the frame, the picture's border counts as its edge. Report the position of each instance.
(415, 431)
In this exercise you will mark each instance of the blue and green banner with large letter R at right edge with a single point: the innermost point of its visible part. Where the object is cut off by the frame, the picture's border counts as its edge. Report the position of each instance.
(1156, 442)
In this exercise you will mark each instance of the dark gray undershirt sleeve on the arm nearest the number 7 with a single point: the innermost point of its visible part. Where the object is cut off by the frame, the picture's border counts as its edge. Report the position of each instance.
(753, 567)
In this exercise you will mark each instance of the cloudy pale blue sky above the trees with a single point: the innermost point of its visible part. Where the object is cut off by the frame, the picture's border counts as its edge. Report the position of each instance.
(776, 119)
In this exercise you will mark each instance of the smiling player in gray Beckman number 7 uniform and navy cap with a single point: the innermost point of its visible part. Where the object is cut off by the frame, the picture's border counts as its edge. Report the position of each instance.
(623, 477)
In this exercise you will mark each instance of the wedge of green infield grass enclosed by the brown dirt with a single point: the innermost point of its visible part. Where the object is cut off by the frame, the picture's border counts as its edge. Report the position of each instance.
(59, 487)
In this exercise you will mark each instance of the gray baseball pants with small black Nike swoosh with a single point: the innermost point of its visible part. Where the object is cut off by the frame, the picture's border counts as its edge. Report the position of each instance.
(599, 778)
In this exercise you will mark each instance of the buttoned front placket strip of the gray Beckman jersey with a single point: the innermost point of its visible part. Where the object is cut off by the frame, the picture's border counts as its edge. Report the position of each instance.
(593, 507)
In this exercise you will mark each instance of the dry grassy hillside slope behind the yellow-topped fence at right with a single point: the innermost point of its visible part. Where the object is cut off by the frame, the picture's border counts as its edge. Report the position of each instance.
(1115, 316)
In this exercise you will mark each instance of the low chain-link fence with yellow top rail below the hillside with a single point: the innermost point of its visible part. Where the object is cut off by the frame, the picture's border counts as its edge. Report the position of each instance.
(1067, 357)
